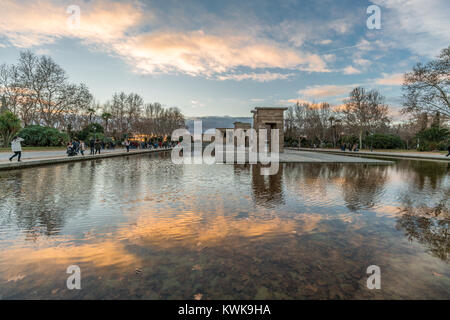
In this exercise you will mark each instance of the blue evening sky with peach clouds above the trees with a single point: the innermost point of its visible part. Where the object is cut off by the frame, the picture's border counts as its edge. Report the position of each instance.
(217, 58)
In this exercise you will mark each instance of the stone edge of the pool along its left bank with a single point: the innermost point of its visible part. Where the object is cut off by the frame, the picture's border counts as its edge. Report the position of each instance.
(50, 161)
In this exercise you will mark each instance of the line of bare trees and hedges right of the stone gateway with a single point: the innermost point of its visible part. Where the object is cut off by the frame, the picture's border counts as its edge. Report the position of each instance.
(364, 117)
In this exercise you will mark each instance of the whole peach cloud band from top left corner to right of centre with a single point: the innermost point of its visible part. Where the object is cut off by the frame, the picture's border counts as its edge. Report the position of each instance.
(117, 28)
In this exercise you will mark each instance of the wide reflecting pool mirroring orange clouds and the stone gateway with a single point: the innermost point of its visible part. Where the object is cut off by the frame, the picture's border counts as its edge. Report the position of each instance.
(140, 227)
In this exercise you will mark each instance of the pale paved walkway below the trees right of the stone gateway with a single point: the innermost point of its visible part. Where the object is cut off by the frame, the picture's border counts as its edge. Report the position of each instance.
(403, 155)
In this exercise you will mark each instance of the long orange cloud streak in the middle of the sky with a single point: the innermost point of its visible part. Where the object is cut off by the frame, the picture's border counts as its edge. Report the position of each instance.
(197, 52)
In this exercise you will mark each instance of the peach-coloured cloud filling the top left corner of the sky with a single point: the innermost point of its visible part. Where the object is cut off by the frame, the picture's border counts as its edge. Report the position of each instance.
(32, 23)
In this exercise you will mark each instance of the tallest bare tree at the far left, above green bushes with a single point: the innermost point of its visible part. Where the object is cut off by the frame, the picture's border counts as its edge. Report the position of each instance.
(37, 90)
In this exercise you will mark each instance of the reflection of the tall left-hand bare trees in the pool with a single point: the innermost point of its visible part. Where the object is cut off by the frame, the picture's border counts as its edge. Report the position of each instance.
(40, 201)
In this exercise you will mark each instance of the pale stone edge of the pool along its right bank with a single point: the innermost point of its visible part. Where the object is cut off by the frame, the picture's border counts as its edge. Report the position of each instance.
(375, 154)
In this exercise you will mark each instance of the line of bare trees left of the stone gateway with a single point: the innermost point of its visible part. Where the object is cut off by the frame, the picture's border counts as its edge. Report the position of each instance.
(37, 91)
